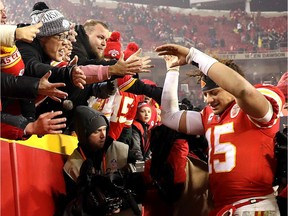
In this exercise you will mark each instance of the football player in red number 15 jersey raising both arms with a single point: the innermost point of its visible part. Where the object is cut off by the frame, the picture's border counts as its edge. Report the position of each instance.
(240, 122)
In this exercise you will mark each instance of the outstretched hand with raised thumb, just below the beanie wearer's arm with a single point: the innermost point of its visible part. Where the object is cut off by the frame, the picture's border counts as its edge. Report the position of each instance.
(50, 89)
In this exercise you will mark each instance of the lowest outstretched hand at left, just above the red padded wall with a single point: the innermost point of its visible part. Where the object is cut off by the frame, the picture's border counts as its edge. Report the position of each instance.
(47, 123)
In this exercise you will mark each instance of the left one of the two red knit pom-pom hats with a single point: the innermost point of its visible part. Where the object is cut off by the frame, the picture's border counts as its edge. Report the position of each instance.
(113, 47)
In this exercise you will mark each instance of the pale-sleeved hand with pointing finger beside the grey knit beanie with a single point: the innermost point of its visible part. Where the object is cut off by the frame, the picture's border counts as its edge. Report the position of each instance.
(28, 33)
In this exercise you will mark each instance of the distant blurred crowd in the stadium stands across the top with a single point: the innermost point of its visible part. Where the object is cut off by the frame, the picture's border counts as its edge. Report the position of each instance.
(150, 26)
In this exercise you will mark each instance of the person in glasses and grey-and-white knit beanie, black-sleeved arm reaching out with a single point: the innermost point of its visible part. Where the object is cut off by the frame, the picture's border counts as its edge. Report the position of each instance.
(48, 45)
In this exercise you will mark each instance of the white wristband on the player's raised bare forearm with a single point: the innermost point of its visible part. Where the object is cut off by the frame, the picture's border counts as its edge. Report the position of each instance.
(203, 60)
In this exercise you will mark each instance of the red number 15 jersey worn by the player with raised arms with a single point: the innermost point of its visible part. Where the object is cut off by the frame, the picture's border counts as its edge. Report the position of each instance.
(241, 152)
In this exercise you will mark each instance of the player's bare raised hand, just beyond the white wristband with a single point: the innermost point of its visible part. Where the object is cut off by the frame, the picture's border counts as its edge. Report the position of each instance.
(176, 50)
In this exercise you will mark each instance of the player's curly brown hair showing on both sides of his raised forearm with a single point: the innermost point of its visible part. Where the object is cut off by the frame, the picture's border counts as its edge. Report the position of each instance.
(228, 62)
